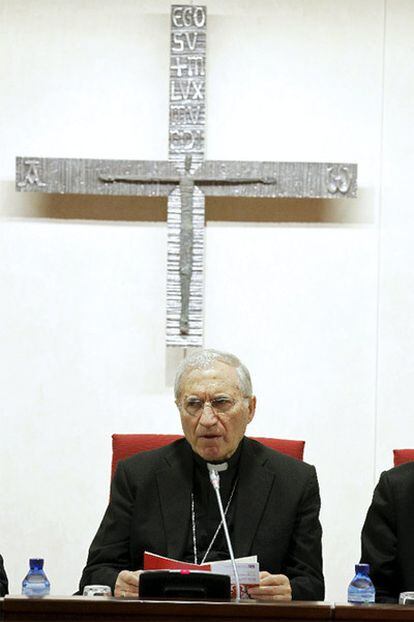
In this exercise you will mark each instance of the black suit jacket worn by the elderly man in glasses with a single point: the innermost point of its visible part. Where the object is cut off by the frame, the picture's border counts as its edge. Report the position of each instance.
(276, 515)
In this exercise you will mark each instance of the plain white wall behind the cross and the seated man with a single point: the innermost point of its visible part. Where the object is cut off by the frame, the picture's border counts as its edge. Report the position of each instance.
(315, 296)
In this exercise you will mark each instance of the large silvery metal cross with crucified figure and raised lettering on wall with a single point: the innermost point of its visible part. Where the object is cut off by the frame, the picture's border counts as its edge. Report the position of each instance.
(186, 178)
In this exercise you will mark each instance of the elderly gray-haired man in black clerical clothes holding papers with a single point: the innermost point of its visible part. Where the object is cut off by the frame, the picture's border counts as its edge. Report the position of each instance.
(162, 500)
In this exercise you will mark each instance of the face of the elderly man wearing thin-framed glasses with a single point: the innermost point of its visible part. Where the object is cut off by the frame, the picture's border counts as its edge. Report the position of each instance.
(214, 413)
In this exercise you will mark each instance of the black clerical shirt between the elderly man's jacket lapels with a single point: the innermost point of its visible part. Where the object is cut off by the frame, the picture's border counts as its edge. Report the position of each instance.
(206, 511)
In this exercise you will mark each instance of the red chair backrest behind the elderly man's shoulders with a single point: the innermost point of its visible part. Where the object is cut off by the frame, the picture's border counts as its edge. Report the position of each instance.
(125, 445)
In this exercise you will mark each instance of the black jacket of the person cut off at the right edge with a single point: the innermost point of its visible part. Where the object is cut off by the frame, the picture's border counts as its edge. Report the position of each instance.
(388, 534)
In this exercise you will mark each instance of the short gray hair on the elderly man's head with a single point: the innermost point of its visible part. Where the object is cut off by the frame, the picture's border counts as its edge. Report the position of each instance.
(205, 359)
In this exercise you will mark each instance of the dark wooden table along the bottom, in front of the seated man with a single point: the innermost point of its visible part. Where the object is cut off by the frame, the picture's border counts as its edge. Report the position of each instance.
(83, 609)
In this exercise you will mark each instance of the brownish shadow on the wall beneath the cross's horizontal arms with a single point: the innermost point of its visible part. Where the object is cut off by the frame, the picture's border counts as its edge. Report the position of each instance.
(154, 209)
